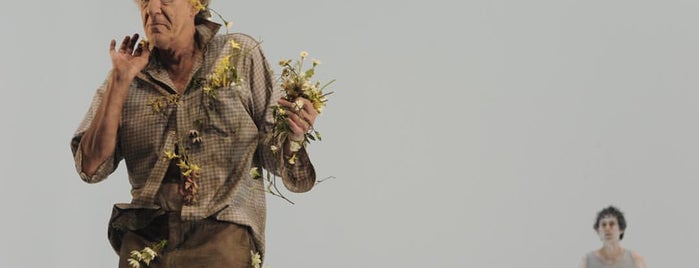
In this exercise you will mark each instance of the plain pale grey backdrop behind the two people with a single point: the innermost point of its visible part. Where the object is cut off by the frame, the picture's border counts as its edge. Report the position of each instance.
(471, 134)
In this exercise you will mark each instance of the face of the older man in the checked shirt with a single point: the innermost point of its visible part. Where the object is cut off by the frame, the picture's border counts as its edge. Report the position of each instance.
(167, 21)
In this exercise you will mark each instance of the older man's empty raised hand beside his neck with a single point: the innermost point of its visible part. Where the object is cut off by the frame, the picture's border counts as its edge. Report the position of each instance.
(130, 59)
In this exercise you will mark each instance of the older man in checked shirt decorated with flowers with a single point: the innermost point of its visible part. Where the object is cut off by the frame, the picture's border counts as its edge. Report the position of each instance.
(189, 113)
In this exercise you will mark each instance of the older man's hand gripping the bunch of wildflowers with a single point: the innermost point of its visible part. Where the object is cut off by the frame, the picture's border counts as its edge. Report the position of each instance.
(302, 115)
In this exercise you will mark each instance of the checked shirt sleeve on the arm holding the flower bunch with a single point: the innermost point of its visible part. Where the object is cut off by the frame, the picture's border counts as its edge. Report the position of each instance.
(299, 177)
